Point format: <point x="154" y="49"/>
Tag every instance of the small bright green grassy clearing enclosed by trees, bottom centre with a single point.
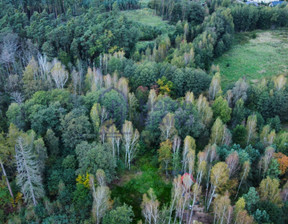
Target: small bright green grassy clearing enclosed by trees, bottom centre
<point x="136" y="182"/>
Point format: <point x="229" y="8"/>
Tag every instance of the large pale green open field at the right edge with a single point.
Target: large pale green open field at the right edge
<point x="255" y="55"/>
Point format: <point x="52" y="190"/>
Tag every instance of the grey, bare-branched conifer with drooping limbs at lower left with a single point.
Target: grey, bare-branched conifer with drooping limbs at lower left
<point x="28" y="174"/>
